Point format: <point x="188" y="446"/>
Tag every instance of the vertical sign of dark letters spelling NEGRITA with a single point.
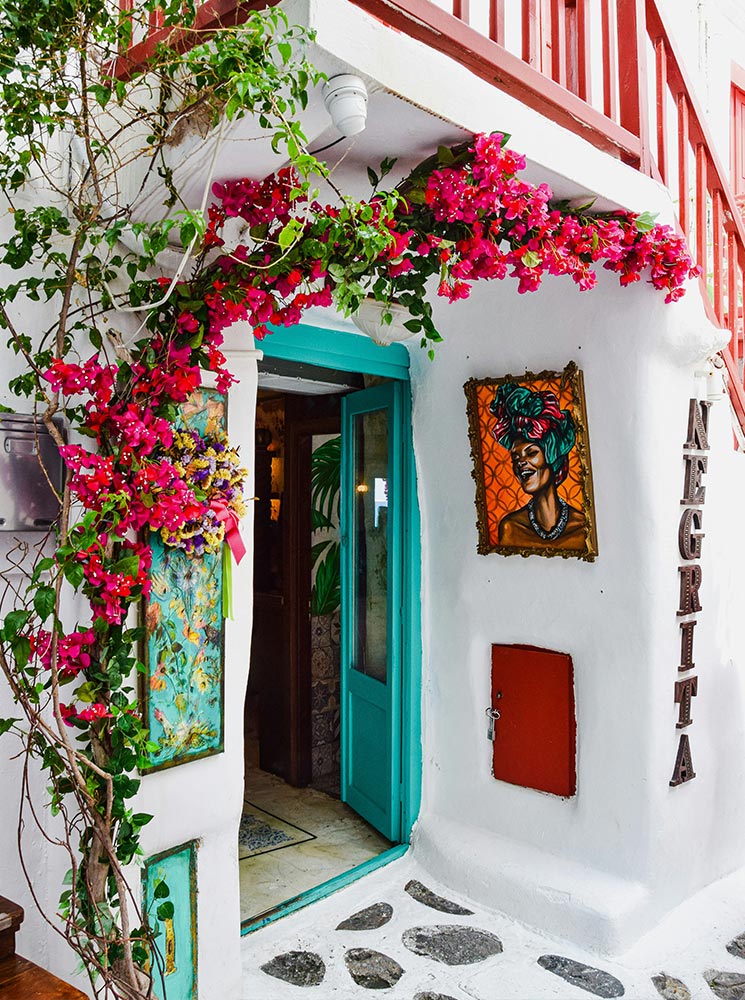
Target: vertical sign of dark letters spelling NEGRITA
<point x="690" y="539"/>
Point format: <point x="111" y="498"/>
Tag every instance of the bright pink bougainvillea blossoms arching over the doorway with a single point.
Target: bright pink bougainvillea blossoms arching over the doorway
<point x="465" y="215"/>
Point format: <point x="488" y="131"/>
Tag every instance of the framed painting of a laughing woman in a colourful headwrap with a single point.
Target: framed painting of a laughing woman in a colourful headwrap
<point x="531" y="463"/>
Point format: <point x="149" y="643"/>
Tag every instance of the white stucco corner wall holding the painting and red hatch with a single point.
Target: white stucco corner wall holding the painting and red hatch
<point x="601" y="867"/>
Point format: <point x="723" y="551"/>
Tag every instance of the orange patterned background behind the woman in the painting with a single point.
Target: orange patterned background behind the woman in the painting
<point x="502" y="492"/>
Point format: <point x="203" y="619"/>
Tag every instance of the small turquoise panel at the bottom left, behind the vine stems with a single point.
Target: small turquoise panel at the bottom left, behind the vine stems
<point x="174" y="965"/>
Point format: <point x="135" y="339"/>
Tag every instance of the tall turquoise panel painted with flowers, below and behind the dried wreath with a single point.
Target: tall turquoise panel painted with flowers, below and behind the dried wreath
<point x="182" y="691"/>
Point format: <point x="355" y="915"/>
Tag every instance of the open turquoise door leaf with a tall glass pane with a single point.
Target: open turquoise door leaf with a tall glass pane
<point x="372" y="526"/>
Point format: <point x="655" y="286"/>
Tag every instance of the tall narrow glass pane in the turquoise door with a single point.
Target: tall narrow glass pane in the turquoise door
<point x="370" y="534"/>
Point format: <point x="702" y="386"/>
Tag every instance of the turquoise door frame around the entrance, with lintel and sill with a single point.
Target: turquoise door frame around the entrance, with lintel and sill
<point x="341" y="351"/>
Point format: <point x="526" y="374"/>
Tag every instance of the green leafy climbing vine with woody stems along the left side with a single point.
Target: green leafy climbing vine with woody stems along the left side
<point x="75" y="115"/>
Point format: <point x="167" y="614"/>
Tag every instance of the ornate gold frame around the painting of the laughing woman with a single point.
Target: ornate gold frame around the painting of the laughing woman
<point x="571" y="381"/>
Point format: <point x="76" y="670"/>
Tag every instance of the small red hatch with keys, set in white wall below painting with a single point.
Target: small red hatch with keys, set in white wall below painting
<point x="536" y="733"/>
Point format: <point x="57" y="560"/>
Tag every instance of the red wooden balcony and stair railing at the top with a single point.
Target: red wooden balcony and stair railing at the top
<point x="612" y="75"/>
